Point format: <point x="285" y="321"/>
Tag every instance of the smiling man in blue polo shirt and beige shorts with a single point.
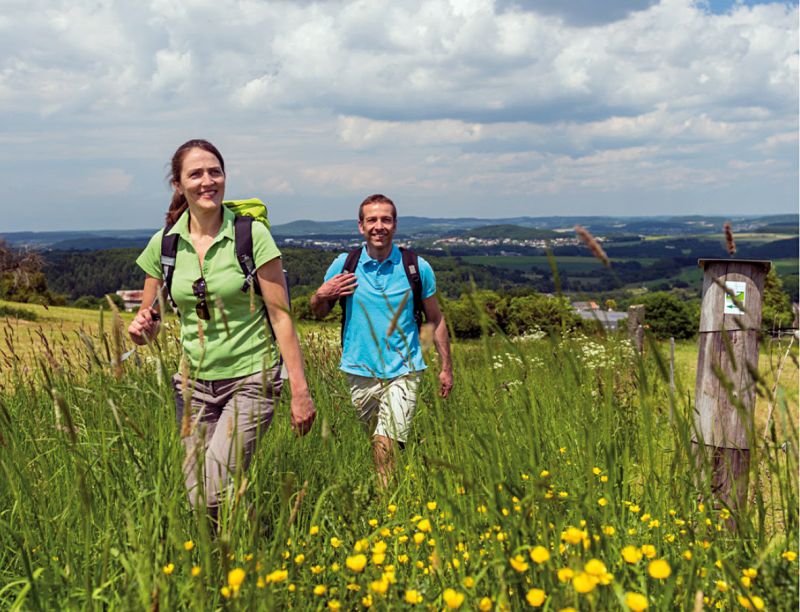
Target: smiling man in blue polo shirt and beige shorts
<point x="383" y="291"/>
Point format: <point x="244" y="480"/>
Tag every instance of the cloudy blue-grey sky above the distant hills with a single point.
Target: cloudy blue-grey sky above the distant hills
<point x="453" y="108"/>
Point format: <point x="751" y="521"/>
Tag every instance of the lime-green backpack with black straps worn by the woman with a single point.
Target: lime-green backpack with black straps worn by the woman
<point x="246" y="211"/>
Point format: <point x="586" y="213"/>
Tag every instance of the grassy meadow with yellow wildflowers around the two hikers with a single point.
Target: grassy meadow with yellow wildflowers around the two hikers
<point x="558" y="475"/>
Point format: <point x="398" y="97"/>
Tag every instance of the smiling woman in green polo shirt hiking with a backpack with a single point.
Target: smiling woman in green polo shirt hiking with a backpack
<point x="232" y="358"/>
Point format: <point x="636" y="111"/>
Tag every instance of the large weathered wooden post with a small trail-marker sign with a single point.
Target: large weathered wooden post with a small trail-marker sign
<point x="725" y="390"/>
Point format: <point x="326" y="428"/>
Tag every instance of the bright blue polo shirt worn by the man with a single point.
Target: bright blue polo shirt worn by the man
<point x="368" y="351"/>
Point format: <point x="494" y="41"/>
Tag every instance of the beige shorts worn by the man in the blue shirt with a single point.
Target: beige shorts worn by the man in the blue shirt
<point x="385" y="406"/>
